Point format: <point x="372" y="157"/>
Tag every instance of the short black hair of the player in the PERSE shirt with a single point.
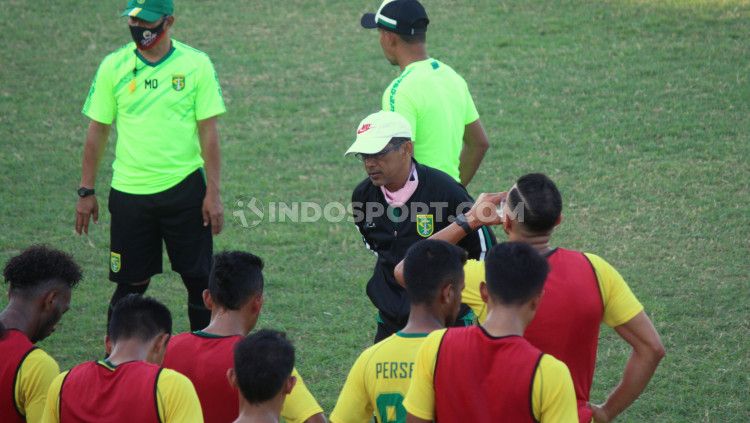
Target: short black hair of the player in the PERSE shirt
<point x="430" y="264"/>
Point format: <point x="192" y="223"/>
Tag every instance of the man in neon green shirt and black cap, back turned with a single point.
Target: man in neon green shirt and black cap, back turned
<point x="446" y="130"/>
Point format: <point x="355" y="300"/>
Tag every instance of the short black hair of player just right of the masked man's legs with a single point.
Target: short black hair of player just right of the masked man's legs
<point x="236" y="276"/>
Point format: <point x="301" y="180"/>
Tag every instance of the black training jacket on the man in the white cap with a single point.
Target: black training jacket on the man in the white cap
<point x="441" y="198"/>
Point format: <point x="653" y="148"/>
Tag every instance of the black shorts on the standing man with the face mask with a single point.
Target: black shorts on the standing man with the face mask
<point x="141" y="222"/>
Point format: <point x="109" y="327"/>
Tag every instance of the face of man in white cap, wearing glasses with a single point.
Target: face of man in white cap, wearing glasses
<point x="390" y="168"/>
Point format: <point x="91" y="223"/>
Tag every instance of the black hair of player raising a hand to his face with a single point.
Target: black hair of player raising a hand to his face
<point x="542" y="201"/>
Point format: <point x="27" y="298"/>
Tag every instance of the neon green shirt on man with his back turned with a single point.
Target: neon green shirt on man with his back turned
<point x="437" y="103"/>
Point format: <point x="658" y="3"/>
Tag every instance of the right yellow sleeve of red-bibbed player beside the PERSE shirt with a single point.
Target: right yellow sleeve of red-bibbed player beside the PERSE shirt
<point x="553" y="398"/>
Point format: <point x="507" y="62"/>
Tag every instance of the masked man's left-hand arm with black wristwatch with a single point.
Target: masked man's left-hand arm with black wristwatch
<point x="87" y="207"/>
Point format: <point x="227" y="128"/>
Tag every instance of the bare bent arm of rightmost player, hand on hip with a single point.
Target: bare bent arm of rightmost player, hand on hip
<point x="648" y="351"/>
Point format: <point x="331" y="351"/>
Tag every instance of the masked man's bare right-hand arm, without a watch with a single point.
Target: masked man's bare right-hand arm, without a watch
<point x="213" y="210"/>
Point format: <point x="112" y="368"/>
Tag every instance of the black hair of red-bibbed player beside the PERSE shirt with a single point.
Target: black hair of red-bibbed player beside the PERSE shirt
<point x="515" y="272"/>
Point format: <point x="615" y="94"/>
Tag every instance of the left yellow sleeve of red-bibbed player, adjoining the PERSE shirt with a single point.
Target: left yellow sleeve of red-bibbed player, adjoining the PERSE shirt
<point x="420" y="400"/>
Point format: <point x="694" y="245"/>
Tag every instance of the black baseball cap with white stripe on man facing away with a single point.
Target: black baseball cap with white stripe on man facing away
<point x="406" y="17"/>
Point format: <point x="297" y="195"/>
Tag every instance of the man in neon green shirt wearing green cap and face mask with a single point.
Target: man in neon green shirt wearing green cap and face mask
<point x="164" y="97"/>
